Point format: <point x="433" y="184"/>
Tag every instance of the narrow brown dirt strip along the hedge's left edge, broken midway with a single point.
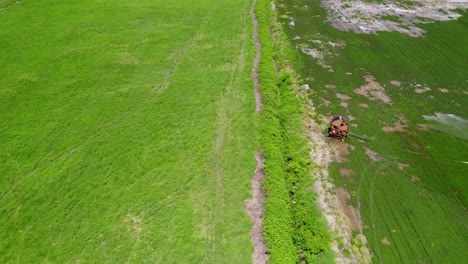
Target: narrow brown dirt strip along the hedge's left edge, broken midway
<point x="255" y="206"/>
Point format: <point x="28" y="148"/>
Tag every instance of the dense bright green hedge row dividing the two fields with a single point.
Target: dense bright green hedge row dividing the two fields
<point x="294" y="229"/>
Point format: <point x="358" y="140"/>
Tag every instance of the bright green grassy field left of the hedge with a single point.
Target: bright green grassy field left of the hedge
<point x="127" y="131"/>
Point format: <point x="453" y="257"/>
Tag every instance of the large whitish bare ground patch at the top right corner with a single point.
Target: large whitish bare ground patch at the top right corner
<point x="366" y="18"/>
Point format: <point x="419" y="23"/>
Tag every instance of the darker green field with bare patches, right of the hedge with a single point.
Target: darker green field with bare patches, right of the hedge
<point x="405" y="94"/>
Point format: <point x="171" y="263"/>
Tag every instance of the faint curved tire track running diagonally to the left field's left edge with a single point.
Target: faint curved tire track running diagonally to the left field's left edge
<point x="117" y="120"/>
